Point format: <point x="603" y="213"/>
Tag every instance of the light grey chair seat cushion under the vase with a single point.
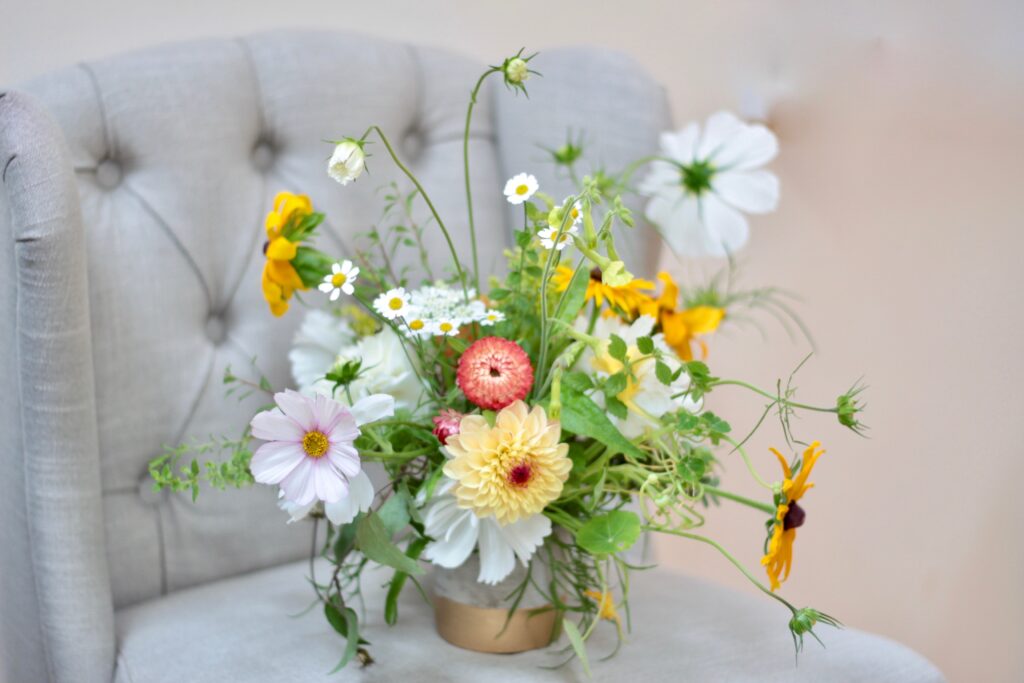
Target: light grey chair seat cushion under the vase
<point x="247" y="629"/>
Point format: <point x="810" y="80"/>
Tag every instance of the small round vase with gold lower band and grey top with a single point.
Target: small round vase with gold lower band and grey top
<point x="473" y="616"/>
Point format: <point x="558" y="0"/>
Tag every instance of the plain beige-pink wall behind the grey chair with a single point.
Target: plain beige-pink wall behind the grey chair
<point x="901" y="226"/>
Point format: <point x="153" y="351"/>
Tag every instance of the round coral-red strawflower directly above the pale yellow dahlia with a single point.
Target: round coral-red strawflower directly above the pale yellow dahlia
<point x="494" y="373"/>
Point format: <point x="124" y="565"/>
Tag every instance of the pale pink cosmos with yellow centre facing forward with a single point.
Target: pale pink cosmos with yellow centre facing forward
<point x="310" y="445"/>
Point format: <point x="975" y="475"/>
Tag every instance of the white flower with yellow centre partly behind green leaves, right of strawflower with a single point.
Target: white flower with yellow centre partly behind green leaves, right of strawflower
<point x="646" y="398"/>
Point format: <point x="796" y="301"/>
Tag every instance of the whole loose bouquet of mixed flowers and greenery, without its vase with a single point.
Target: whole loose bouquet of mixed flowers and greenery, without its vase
<point x="552" y="415"/>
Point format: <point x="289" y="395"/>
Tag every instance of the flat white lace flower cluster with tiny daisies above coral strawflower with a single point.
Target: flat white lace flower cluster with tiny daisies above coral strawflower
<point x="435" y="311"/>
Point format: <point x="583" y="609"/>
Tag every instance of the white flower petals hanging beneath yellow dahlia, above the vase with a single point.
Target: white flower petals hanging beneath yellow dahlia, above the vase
<point x="456" y="532"/>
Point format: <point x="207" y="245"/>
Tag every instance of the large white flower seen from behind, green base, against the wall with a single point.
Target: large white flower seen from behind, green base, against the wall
<point x="699" y="203"/>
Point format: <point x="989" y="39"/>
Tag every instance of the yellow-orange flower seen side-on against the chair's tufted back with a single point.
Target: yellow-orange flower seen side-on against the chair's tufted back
<point x="280" y="279"/>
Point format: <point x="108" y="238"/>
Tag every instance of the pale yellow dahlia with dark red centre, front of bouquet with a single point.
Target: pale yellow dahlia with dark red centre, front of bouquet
<point x="511" y="471"/>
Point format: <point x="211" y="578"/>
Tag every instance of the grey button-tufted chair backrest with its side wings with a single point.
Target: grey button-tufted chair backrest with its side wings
<point x="135" y="191"/>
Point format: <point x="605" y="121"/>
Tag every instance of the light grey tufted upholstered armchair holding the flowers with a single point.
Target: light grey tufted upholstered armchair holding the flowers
<point x="132" y="209"/>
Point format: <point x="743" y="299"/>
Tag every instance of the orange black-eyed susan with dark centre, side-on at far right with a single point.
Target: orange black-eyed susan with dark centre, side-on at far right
<point x="789" y="516"/>
